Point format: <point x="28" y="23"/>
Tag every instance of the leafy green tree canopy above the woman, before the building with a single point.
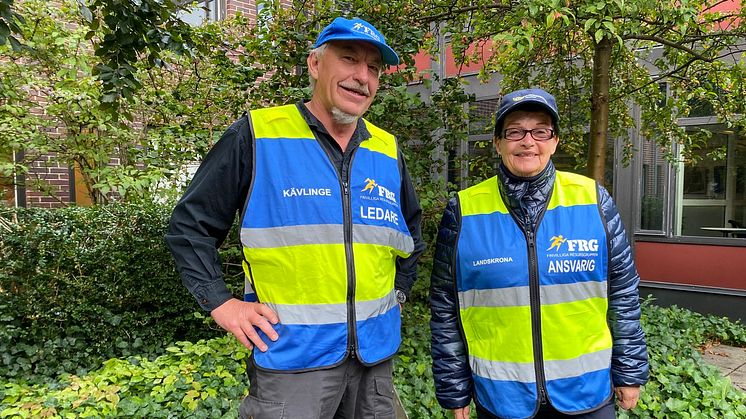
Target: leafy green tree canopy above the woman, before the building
<point x="690" y="45"/>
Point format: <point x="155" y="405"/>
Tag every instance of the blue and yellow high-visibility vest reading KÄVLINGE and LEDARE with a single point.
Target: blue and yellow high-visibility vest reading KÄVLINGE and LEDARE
<point x="321" y="250"/>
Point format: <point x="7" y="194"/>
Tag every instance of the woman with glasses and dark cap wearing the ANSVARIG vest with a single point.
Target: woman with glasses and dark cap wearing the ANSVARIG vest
<point x="535" y="307"/>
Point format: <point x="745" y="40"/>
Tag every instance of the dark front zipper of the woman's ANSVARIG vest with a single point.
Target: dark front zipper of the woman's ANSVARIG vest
<point x="533" y="286"/>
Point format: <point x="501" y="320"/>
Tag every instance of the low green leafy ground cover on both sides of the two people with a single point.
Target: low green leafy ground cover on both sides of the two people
<point x="207" y="378"/>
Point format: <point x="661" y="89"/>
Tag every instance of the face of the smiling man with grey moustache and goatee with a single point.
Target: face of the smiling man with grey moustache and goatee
<point x="346" y="75"/>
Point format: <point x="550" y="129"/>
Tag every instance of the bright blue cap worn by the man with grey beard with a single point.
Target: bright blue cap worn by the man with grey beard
<point x="356" y="29"/>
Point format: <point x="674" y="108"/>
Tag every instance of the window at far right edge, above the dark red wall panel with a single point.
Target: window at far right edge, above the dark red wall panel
<point x="711" y="189"/>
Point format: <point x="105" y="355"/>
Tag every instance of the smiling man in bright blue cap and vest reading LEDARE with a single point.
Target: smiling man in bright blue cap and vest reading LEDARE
<point x="330" y="229"/>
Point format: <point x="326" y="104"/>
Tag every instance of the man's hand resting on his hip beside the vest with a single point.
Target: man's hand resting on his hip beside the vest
<point x="239" y="318"/>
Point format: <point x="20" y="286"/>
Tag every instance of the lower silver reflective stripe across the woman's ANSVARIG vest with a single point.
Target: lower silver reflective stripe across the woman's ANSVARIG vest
<point x="553" y="370"/>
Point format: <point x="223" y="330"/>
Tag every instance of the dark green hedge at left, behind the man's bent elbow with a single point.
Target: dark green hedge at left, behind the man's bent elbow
<point x="82" y="285"/>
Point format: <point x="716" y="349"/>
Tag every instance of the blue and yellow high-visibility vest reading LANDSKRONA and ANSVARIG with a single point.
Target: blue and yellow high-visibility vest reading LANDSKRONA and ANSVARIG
<point x="533" y="305"/>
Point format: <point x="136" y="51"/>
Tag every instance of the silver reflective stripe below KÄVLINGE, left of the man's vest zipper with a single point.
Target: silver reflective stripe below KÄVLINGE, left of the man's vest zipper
<point x="274" y="237"/>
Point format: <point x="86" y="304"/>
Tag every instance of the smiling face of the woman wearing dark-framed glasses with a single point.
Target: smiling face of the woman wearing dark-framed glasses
<point x="526" y="157"/>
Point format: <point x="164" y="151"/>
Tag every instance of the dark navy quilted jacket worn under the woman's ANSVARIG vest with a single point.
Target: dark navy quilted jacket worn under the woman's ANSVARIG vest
<point x="526" y="198"/>
